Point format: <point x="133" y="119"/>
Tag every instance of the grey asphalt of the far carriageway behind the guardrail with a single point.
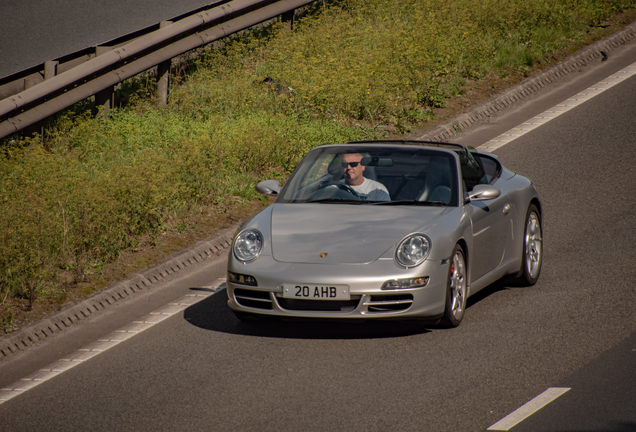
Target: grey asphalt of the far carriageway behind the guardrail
<point x="32" y="31"/>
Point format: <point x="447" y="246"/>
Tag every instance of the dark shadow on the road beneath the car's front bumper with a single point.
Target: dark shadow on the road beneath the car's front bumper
<point x="214" y="314"/>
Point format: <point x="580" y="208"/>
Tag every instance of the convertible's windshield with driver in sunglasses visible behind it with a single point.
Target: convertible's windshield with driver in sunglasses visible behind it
<point x="351" y="174"/>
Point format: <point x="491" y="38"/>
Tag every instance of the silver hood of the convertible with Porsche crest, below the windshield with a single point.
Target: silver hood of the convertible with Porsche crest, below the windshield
<point x="347" y="234"/>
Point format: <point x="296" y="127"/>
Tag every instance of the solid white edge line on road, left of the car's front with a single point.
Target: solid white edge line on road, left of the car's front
<point x="105" y="343"/>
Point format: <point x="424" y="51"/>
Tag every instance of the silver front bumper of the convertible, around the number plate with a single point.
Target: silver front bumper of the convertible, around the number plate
<point x="367" y="299"/>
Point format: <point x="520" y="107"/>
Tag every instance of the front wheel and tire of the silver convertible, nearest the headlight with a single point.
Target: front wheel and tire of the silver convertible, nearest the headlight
<point x="456" y="289"/>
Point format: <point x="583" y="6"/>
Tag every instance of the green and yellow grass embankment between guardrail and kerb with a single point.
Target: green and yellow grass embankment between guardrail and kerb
<point x="99" y="188"/>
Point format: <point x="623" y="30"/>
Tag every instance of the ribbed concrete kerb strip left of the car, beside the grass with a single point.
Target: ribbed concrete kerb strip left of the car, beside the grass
<point x="56" y="322"/>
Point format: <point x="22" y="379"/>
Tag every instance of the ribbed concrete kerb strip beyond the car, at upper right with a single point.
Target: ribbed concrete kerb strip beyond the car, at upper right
<point x="597" y="51"/>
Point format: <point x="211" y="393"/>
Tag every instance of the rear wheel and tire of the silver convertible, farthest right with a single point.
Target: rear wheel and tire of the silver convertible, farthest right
<point x="532" y="257"/>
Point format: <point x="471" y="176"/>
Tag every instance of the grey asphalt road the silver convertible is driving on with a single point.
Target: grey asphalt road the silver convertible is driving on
<point x="202" y="369"/>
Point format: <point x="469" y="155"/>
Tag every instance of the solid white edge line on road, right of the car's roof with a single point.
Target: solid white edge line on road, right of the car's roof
<point x="559" y="109"/>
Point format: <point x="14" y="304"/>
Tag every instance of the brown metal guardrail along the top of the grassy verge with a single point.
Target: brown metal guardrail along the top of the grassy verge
<point x="34" y="96"/>
